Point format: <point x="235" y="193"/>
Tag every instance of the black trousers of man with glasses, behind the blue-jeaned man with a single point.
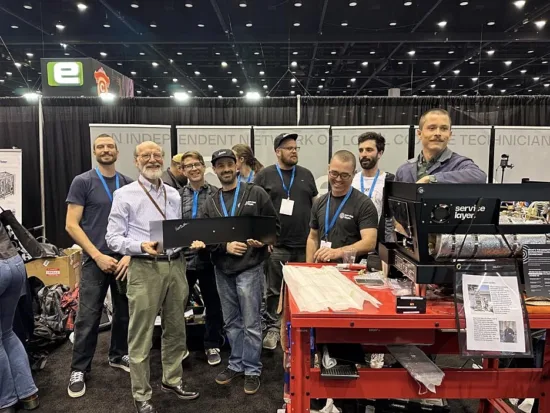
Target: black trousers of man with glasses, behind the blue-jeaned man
<point x="211" y="299"/>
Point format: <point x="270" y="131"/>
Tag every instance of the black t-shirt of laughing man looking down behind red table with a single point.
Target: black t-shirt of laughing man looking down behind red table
<point x="357" y="214"/>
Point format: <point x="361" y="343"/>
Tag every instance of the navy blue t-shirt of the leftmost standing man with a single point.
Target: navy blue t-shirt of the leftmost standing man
<point x="87" y="190"/>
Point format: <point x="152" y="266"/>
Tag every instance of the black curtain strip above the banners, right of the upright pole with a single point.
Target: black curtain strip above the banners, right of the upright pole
<point x="486" y="110"/>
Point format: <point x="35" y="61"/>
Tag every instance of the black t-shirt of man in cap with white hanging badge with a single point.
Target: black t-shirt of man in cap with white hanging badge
<point x="295" y="227"/>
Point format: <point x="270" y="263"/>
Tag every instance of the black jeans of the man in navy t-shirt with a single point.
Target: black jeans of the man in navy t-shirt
<point x="93" y="289"/>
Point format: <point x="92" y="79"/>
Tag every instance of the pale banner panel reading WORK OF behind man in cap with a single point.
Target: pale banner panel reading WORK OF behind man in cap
<point x="314" y="149"/>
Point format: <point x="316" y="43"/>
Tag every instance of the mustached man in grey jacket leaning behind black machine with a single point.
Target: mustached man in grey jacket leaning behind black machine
<point x="437" y="163"/>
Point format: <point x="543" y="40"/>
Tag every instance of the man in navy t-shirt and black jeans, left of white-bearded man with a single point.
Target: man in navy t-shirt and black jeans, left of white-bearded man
<point x="88" y="207"/>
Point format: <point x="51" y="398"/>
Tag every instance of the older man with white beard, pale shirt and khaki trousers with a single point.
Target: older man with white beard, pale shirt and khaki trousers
<point x="156" y="280"/>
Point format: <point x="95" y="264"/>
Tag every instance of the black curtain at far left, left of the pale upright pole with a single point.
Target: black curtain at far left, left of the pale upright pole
<point x="19" y="129"/>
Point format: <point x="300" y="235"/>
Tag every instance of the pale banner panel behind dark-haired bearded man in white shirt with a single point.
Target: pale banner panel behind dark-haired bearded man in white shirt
<point x="397" y="138"/>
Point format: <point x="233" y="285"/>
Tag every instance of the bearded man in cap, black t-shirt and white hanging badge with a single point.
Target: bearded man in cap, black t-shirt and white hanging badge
<point x="292" y="190"/>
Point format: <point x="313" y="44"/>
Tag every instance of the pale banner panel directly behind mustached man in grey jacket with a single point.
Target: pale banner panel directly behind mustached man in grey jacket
<point x="469" y="141"/>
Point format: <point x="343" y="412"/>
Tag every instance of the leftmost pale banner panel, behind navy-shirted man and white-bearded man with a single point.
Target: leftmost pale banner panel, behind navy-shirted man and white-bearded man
<point x="127" y="138"/>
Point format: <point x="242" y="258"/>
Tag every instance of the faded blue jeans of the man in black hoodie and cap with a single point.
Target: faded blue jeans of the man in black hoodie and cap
<point x="241" y="298"/>
